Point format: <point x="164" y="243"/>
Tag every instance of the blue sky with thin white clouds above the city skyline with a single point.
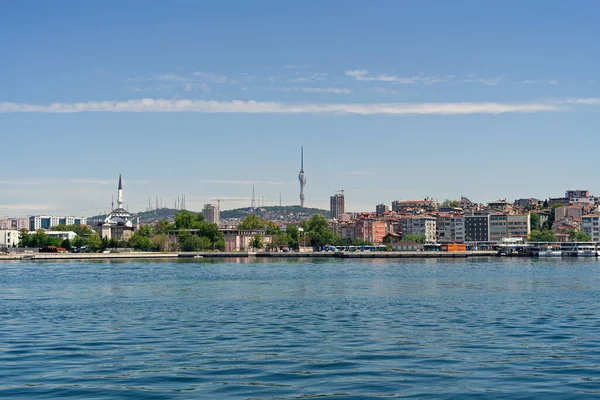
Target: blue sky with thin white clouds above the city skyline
<point x="390" y="99"/>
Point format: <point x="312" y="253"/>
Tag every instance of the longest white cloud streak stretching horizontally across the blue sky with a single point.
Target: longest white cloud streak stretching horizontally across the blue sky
<point x="262" y="107"/>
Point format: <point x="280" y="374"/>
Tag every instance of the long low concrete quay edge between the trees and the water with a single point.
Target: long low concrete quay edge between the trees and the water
<point x="209" y="255"/>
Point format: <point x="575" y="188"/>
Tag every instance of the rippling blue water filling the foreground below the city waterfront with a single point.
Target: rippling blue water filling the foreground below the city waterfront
<point x="300" y="329"/>
